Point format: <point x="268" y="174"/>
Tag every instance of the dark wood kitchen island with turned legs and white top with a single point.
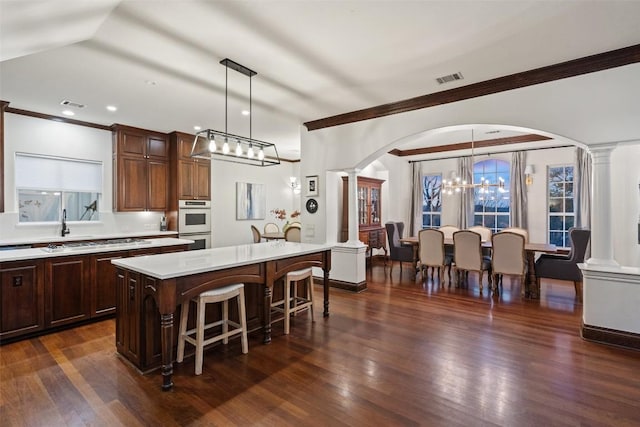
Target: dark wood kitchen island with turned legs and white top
<point x="167" y="280"/>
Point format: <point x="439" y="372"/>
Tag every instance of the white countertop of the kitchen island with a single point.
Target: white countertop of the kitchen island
<point x="178" y="264"/>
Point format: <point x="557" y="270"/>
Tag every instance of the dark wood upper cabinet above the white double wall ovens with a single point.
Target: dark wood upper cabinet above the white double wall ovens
<point x="191" y="177"/>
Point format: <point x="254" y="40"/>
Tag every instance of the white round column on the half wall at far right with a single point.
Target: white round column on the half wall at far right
<point x="601" y="207"/>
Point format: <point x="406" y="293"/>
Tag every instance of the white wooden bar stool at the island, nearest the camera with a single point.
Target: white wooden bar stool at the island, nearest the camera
<point x="222" y="295"/>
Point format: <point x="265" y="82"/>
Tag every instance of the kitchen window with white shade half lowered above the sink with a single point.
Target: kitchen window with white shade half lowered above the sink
<point x="47" y="185"/>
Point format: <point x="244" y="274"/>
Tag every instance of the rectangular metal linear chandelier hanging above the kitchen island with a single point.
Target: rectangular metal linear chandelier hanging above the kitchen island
<point x="217" y="145"/>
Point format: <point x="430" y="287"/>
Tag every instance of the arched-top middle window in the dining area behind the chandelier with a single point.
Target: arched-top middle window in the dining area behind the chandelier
<point x="491" y="204"/>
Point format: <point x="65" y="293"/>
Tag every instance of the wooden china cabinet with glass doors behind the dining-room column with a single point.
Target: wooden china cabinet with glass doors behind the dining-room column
<point x="369" y="201"/>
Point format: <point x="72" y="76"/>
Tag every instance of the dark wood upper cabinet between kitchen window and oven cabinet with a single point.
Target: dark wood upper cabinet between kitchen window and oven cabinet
<point x="141" y="169"/>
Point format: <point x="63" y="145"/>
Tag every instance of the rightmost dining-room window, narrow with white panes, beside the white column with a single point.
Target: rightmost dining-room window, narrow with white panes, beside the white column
<point x="561" y="213"/>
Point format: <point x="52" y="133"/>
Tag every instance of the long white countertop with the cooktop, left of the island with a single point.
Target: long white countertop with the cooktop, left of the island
<point x="37" y="253"/>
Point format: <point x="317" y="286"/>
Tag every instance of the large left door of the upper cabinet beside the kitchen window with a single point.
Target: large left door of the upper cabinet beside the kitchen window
<point x="132" y="184"/>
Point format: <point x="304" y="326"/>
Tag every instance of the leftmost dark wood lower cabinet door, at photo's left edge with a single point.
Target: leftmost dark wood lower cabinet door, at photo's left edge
<point x="22" y="297"/>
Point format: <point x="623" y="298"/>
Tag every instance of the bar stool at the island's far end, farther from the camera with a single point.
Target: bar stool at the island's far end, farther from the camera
<point x="290" y="305"/>
